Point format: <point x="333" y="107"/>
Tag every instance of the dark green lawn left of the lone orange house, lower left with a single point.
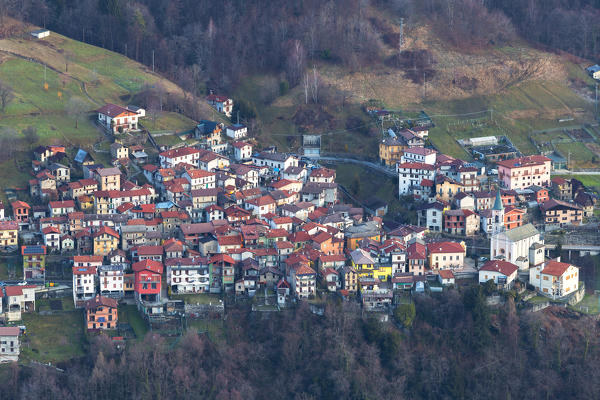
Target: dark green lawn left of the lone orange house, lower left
<point x="53" y="338"/>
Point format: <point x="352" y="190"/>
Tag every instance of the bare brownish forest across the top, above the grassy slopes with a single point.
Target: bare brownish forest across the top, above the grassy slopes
<point x="200" y="43"/>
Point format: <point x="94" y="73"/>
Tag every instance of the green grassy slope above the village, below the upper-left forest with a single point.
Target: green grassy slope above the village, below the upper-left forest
<point x="74" y="69"/>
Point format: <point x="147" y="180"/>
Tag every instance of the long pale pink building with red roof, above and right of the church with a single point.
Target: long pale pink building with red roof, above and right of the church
<point x="522" y="172"/>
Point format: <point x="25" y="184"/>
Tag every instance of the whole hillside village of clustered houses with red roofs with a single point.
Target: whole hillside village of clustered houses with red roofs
<point x="199" y="227"/>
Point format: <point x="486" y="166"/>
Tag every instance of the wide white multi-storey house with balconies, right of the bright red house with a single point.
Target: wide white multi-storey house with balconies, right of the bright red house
<point x="188" y="275"/>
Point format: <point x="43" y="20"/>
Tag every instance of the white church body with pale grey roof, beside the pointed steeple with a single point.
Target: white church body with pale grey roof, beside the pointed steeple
<point x="517" y="246"/>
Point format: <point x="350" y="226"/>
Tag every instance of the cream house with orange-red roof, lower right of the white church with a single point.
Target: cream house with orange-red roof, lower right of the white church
<point x="554" y="279"/>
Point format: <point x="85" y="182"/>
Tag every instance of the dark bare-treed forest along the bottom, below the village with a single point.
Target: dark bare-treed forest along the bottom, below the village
<point x="449" y="345"/>
